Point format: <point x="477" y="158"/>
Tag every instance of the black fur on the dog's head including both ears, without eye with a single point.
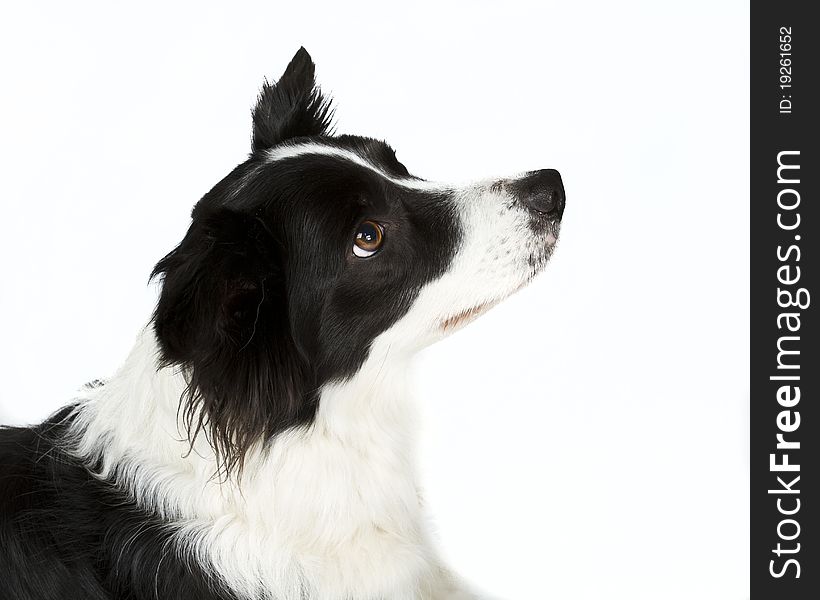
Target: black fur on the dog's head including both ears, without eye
<point x="263" y="302"/>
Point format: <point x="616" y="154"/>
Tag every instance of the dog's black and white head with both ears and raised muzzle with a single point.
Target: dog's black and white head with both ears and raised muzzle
<point x="319" y="248"/>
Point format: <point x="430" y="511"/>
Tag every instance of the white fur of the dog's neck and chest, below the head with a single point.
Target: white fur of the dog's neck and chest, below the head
<point x="330" y="512"/>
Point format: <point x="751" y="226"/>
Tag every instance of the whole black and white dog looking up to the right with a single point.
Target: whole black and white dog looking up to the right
<point x="258" y="442"/>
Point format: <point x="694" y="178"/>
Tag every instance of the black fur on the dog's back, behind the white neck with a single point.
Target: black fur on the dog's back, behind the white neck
<point x="65" y="535"/>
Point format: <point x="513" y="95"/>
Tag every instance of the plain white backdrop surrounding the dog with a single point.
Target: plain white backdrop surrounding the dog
<point x="586" y="439"/>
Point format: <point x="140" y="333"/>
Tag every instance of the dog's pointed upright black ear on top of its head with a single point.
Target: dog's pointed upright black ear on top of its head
<point x="292" y="107"/>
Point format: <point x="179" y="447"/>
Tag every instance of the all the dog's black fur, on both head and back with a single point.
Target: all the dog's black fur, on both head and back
<point x="262" y="303"/>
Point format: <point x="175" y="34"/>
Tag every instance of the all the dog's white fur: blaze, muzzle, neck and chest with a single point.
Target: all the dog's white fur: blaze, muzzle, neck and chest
<point x="330" y="512"/>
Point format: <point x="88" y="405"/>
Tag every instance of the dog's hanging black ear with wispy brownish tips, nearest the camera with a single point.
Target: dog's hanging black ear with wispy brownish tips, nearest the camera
<point x="222" y="317"/>
